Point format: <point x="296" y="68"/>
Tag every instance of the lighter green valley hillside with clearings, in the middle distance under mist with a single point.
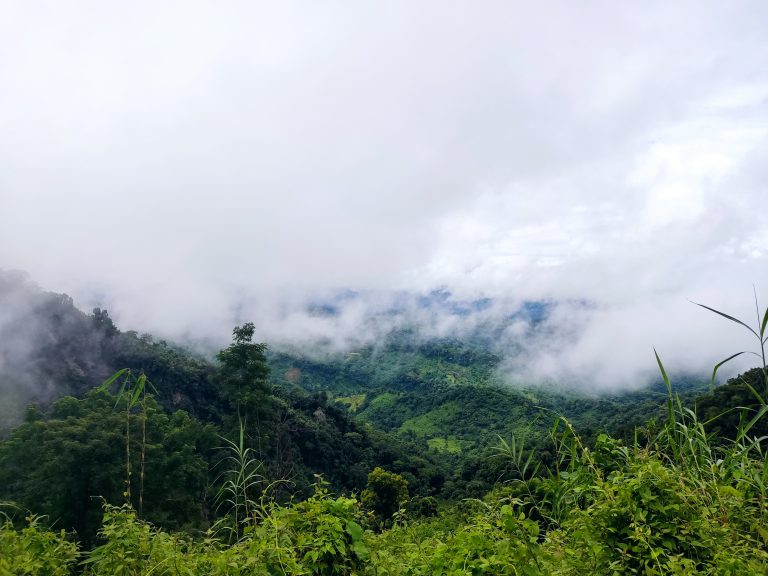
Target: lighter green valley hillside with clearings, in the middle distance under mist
<point x="448" y="394"/>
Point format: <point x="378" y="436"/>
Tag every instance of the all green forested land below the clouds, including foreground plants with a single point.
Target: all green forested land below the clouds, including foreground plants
<point x="123" y="454"/>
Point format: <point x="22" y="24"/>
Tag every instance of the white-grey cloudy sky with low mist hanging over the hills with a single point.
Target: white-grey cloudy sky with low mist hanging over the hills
<point x="189" y="165"/>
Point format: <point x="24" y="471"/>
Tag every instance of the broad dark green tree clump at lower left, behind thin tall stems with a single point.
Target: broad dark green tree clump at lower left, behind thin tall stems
<point x="64" y="465"/>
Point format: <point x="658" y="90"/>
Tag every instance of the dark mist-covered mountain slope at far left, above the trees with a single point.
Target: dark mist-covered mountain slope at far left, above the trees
<point x="49" y="348"/>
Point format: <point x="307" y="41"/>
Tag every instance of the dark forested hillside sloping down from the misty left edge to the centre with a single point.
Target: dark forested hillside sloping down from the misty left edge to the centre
<point x="55" y="358"/>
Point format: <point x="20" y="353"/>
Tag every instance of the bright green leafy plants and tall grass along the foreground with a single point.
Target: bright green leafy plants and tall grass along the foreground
<point x="678" y="502"/>
